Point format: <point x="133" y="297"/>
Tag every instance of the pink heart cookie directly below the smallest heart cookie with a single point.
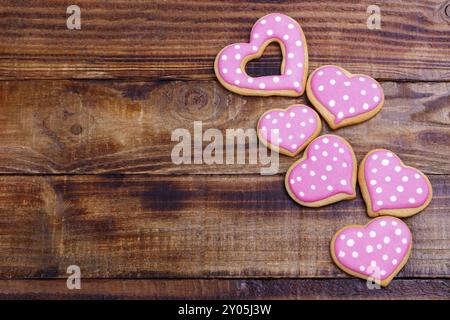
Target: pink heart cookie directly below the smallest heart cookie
<point x="325" y="174"/>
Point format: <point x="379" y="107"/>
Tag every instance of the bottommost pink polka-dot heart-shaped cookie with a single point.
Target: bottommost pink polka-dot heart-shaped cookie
<point x="377" y="251"/>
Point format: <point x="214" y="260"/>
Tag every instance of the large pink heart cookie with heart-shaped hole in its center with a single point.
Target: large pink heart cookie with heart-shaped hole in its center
<point x="231" y="60"/>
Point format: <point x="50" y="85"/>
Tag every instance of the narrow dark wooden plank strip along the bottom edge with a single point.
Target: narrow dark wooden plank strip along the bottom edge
<point x="436" y="289"/>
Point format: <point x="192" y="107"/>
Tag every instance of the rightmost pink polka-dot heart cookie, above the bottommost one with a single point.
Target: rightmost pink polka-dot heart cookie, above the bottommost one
<point x="391" y="188"/>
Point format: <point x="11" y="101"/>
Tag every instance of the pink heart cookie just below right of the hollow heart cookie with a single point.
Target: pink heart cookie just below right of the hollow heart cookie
<point x="342" y="98"/>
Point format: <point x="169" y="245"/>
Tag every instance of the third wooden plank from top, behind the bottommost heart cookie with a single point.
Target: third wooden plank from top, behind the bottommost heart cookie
<point x="189" y="226"/>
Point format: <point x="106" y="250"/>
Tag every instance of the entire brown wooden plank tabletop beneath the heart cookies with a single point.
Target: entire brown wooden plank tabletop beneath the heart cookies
<point x="86" y="176"/>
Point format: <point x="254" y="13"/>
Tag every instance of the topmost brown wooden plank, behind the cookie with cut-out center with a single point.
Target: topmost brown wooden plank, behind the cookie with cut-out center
<point x="178" y="39"/>
